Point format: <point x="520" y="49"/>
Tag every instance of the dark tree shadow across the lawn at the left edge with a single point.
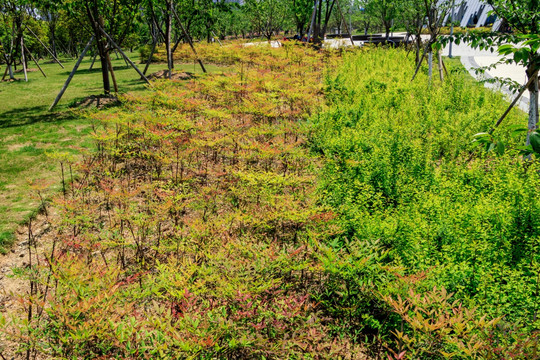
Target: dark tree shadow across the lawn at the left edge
<point x="32" y="115"/>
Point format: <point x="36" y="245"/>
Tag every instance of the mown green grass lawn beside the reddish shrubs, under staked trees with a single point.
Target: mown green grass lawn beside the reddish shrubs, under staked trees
<point x="28" y="131"/>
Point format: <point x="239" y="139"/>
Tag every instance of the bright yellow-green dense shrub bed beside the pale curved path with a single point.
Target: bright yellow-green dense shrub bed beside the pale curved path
<point x="438" y="254"/>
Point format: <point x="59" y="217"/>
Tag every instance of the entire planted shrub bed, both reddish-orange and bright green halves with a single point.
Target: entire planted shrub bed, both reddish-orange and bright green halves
<point x="204" y="226"/>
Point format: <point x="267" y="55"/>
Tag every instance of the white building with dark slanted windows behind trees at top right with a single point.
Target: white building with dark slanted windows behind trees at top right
<point x="474" y="13"/>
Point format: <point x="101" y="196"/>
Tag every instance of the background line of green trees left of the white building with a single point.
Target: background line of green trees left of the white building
<point x="66" y="25"/>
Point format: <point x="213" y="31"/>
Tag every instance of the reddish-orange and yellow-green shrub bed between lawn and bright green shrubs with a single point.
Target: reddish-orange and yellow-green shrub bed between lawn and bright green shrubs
<point x="193" y="229"/>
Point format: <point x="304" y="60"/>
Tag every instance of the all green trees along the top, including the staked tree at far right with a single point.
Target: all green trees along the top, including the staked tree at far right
<point x="41" y="28"/>
